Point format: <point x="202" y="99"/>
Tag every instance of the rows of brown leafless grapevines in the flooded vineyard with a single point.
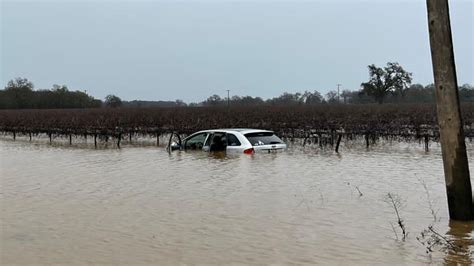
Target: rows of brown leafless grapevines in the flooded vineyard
<point x="318" y="123"/>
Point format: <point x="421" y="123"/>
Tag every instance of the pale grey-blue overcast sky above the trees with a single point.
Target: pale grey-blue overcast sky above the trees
<point x="189" y="50"/>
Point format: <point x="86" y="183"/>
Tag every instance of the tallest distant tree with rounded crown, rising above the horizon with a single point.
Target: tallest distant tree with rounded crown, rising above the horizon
<point x="390" y="79"/>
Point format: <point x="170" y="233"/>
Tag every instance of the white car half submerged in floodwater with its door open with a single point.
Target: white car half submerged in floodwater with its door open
<point x="237" y="140"/>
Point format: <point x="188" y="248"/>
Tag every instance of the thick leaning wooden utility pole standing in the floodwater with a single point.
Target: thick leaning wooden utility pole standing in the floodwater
<point x="456" y="169"/>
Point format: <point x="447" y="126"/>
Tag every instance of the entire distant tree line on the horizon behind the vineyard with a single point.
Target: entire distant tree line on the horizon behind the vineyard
<point x="389" y="84"/>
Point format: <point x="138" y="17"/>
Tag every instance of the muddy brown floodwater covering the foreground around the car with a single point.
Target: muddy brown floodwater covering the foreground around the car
<point x="65" y="204"/>
